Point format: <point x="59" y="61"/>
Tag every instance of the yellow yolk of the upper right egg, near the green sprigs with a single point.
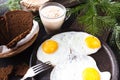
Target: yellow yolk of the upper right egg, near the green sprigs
<point x="93" y="42"/>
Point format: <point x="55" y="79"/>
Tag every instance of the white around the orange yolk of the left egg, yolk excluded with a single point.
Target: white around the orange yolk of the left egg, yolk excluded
<point x="58" y="56"/>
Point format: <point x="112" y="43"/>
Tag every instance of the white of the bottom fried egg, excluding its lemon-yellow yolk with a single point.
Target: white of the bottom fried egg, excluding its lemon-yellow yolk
<point x="72" y="69"/>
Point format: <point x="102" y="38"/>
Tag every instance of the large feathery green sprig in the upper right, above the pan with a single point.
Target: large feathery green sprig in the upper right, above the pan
<point x="97" y="15"/>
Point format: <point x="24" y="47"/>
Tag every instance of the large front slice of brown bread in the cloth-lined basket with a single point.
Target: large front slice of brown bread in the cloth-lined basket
<point x="19" y="24"/>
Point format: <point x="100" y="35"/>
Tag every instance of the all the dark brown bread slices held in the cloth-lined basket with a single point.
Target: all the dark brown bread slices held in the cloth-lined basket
<point x="14" y="26"/>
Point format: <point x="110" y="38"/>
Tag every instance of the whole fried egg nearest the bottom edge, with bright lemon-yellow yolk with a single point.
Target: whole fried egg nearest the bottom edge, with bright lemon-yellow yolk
<point x="83" y="68"/>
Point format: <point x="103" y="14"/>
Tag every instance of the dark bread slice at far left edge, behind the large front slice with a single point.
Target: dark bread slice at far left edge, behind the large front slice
<point x="4" y="36"/>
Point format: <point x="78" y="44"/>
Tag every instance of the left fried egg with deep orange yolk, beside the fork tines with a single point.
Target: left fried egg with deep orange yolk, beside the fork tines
<point x="53" y="51"/>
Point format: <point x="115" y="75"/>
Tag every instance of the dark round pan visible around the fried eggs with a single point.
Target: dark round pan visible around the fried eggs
<point x="104" y="58"/>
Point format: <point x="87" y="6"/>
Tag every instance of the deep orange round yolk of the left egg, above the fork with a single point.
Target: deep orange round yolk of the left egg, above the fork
<point x="49" y="46"/>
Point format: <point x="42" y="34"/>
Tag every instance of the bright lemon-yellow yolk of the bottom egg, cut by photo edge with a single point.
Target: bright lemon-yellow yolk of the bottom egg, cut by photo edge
<point x="90" y="74"/>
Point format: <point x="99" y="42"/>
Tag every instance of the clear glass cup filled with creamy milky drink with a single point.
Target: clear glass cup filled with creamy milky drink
<point x="52" y="15"/>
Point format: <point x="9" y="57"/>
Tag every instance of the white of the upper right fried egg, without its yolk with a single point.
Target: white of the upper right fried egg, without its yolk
<point x="76" y="42"/>
